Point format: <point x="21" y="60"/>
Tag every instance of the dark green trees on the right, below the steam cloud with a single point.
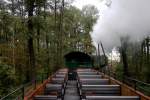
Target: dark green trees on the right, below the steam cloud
<point x="137" y="57"/>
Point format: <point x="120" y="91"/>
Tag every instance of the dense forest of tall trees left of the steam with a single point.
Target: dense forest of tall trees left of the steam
<point x="35" y="35"/>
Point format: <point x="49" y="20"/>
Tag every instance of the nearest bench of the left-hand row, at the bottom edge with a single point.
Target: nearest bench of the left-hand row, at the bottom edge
<point x="46" y="97"/>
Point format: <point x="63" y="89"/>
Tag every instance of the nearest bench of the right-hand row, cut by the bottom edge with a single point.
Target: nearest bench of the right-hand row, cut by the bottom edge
<point x="112" y="98"/>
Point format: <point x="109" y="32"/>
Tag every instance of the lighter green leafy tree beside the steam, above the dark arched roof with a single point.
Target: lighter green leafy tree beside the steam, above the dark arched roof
<point x="78" y="25"/>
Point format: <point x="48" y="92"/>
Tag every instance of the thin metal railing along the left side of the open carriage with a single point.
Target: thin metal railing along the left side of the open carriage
<point x="20" y="92"/>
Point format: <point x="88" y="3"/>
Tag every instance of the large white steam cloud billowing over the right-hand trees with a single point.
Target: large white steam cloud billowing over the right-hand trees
<point x="121" y="18"/>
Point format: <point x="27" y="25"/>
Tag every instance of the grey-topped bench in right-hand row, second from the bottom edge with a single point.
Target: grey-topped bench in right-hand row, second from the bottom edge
<point x="100" y="90"/>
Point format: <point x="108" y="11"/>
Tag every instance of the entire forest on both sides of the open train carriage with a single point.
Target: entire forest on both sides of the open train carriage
<point x="36" y="34"/>
